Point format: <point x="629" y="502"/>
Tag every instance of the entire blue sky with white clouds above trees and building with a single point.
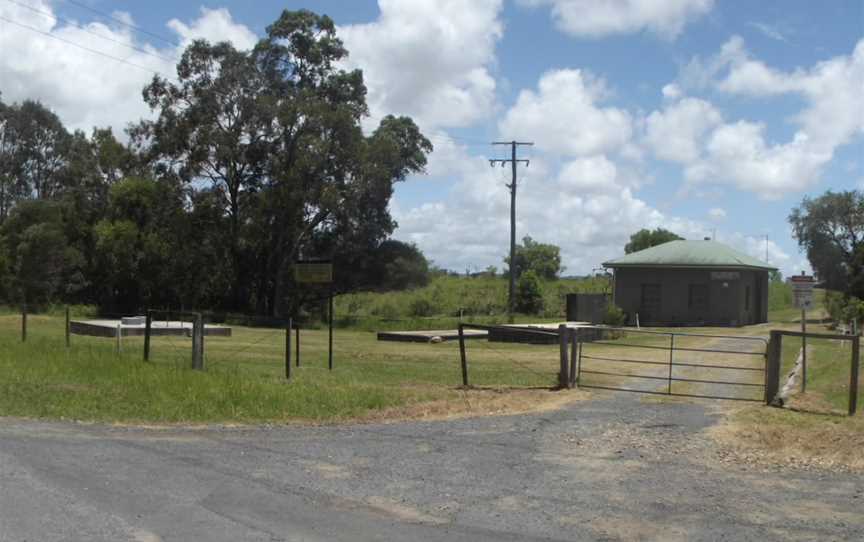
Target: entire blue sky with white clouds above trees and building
<point x="708" y="118"/>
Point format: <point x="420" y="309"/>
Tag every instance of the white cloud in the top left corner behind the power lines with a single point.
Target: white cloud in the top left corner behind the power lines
<point x="82" y="87"/>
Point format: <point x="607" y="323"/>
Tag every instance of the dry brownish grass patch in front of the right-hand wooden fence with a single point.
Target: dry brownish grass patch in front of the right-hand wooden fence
<point x="763" y="435"/>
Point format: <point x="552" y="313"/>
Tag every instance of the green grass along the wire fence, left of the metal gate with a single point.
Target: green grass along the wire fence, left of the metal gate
<point x="244" y="377"/>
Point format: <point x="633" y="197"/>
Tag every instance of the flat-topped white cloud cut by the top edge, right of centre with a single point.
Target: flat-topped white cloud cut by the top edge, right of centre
<point x="594" y="19"/>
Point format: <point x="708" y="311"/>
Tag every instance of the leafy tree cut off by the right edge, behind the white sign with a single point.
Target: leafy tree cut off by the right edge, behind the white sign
<point x="830" y="229"/>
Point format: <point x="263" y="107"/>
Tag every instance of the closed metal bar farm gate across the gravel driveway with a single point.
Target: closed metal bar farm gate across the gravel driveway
<point x="668" y="363"/>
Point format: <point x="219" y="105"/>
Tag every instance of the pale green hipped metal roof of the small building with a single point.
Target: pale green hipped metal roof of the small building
<point x="690" y="254"/>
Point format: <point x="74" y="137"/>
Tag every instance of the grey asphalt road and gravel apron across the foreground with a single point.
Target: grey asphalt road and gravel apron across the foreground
<point x="612" y="468"/>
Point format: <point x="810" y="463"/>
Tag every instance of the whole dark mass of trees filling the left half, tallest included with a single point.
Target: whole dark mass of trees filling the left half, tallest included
<point x="252" y="160"/>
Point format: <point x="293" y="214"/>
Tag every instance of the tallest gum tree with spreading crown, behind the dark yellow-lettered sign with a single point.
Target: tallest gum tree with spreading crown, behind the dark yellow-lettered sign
<point x="276" y="134"/>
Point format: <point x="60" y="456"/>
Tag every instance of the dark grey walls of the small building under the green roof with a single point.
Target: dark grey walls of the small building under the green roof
<point x="726" y="303"/>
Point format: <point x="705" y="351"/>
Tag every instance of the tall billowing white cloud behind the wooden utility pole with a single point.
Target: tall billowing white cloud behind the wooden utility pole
<point x="586" y="205"/>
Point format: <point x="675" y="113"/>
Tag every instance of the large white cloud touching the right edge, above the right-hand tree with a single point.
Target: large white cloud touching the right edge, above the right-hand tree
<point x="740" y="153"/>
